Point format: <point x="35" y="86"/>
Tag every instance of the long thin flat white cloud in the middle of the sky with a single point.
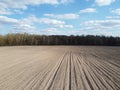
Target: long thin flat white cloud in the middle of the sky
<point x="63" y="16"/>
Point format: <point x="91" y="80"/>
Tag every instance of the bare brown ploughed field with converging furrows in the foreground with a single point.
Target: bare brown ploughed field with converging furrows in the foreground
<point x="59" y="68"/>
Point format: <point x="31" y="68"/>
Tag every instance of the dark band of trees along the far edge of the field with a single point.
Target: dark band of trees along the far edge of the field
<point x="28" y="39"/>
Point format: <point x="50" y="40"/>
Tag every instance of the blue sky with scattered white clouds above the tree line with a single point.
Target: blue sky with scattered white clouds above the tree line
<point x="60" y="17"/>
